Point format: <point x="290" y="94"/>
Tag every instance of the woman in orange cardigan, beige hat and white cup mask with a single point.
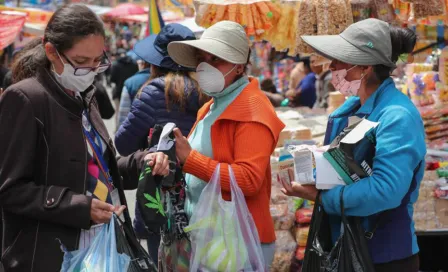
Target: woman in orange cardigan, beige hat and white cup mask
<point x="238" y="127"/>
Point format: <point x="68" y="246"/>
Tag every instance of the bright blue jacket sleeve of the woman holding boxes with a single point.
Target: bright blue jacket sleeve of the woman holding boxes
<point x="399" y="150"/>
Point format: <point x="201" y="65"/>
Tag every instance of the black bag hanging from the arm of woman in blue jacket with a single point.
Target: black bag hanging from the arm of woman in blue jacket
<point x="350" y="253"/>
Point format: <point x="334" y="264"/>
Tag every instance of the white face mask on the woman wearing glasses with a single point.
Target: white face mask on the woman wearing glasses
<point x="70" y="81"/>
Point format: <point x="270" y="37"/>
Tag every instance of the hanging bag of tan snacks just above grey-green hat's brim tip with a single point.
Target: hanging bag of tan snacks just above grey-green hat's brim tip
<point x="307" y="24"/>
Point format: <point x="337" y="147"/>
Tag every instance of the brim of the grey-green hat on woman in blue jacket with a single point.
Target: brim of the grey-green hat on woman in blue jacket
<point x="334" y="47"/>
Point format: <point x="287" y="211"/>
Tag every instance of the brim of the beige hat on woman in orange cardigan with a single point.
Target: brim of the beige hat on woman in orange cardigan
<point x="184" y="52"/>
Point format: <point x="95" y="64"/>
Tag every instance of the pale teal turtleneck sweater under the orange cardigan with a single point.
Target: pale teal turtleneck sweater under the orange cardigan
<point x="200" y="138"/>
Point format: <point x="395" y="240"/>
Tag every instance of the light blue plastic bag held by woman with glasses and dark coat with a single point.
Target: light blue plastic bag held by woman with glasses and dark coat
<point x="100" y="256"/>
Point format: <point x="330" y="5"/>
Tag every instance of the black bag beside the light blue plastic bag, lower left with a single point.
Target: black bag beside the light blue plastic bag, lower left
<point x="128" y="244"/>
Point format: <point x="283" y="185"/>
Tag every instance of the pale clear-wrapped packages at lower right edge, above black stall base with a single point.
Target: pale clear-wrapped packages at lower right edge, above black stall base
<point x="431" y="209"/>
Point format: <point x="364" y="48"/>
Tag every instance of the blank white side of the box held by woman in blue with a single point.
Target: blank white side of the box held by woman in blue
<point x="326" y="177"/>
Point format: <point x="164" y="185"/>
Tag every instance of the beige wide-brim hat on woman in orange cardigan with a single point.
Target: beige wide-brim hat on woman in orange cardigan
<point x="227" y="40"/>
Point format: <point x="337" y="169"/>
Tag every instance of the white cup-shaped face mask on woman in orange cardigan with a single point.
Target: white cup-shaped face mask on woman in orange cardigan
<point x="210" y="79"/>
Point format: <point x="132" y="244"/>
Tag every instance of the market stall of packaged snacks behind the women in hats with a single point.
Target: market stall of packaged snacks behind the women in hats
<point x="279" y="25"/>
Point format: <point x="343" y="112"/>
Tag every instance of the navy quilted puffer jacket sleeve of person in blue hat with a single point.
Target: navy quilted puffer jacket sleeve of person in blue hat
<point x="139" y="121"/>
